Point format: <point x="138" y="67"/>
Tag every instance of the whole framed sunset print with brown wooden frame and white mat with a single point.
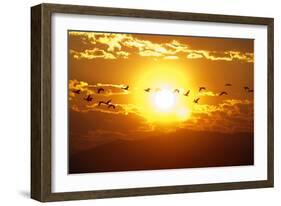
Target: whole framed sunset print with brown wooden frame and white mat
<point x="132" y="102"/>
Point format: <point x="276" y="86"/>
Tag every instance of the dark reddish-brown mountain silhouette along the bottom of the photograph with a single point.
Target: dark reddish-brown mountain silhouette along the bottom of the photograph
<point x="186" y="150"/>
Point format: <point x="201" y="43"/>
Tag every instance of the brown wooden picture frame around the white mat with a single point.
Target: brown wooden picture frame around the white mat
<point x="41" y="95"/>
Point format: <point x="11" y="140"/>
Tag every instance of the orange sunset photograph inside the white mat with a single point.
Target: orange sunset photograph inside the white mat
<point x="156" y="101"/>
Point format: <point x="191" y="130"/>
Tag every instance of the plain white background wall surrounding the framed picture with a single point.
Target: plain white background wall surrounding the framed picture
<point x="15" y="102"/>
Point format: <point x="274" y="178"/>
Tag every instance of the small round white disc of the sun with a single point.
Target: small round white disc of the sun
<point x="164" y="99"/>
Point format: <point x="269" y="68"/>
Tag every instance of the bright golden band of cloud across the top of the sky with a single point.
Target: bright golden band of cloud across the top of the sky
<point x="115" y="46"/>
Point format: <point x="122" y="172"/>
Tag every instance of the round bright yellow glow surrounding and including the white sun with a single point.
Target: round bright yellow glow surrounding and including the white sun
<point x="156" y="96"/>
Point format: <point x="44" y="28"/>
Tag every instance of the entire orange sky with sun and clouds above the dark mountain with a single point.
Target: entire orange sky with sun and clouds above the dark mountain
<point x="153" y="82"/>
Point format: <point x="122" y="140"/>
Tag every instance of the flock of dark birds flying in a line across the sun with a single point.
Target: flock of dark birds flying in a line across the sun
<point x="108" y="103"/>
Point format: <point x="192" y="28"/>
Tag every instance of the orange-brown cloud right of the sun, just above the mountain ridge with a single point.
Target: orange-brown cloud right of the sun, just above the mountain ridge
<point x="230" y="116"/>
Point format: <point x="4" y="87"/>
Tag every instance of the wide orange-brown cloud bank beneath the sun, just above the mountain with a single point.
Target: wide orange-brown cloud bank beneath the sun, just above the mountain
<point x="97" y="127"/>
